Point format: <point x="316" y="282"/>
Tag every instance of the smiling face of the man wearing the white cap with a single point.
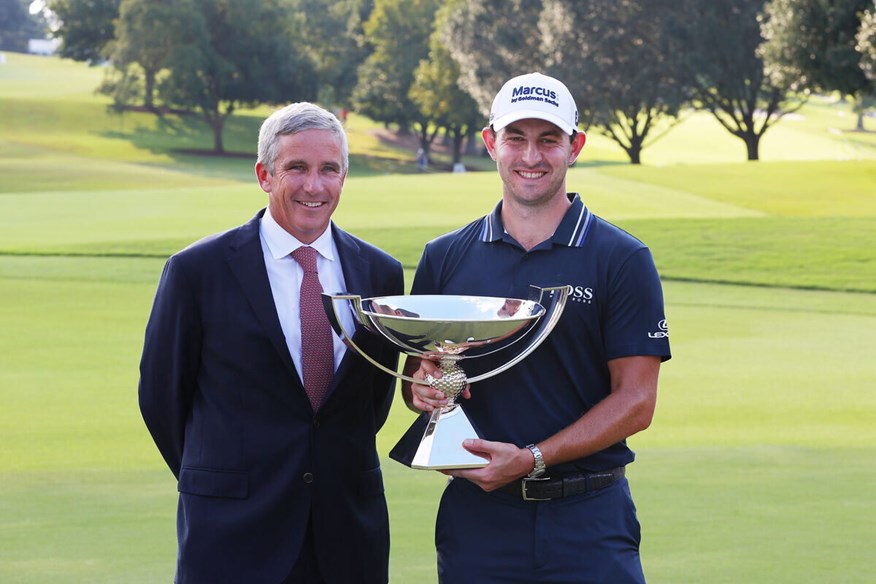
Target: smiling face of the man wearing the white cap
<point x="532" y="157"/>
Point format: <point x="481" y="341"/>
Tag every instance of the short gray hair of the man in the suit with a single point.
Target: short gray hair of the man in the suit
<point x="295" y="118"/>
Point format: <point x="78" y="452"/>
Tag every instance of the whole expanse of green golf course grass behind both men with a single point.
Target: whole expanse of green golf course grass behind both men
<point x="760" y="461"/>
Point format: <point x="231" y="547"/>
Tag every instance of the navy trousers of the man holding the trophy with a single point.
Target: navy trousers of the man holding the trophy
<point x="486" y="538"/>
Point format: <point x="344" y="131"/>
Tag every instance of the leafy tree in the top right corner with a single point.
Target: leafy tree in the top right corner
<point x="816" y="41"/>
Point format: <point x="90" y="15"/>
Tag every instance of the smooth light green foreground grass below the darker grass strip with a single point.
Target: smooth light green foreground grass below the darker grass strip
<point x="762" y="429"/>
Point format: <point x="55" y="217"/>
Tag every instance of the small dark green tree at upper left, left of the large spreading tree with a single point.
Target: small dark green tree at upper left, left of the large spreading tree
<point x="85" y="28"/>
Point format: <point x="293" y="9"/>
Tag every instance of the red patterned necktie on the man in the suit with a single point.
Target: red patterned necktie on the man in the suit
<point x="317" y="352"/>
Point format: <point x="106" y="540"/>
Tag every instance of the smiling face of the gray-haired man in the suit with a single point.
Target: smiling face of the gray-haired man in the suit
<point x="306" y="185"/>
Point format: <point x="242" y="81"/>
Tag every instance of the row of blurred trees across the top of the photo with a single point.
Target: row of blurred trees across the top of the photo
<point x="432" y="66"/>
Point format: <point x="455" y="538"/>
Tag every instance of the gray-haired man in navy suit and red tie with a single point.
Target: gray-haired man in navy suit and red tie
<point x="277" y="482"/>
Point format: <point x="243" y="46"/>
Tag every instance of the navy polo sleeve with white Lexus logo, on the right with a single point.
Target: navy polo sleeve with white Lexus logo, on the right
<point x="635" y="318"/>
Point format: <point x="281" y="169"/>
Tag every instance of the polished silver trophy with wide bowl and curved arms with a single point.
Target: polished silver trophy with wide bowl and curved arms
<point x="449" y="329"/>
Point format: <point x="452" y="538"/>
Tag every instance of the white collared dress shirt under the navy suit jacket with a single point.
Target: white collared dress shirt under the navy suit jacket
<point x="285" y="275"/>
